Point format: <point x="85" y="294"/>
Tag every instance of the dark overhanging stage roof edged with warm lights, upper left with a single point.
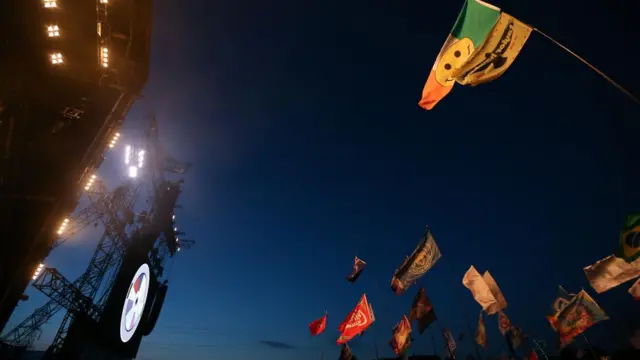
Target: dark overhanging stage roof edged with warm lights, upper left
<point x="69" y="72"/>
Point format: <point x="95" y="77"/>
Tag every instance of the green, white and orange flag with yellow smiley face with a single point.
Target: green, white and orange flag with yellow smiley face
<point x="475" y="22"/>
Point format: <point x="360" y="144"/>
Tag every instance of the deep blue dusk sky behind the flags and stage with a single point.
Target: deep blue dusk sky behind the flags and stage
<point x="301" y="120"/>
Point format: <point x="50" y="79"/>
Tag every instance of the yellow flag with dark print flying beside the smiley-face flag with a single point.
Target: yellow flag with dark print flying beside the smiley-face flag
<point x="496" y="54"/>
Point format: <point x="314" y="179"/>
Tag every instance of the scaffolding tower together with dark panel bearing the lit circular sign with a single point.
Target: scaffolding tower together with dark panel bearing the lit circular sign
<point x="118" y="299"/>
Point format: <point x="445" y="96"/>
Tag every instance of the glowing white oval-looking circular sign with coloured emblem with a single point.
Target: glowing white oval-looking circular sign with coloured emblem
<point x="134" y="303"/>
